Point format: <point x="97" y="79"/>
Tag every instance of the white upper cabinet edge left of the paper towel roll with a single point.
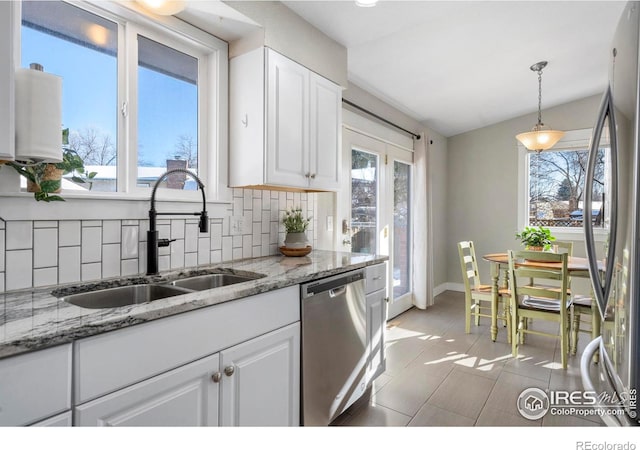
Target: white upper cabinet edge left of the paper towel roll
<point x="8" y="12"/>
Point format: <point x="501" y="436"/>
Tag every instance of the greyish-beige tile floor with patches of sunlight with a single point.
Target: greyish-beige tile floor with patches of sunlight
<point x="437" y="375"/>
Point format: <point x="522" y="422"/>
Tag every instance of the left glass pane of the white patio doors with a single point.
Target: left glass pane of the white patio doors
<point x="364" y="202"/>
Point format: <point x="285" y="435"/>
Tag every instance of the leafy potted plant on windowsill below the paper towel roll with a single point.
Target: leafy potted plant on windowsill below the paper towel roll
<point x="45" y="179"/>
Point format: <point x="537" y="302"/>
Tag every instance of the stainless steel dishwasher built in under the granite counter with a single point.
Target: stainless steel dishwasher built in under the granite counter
<point x="333" y="346"/>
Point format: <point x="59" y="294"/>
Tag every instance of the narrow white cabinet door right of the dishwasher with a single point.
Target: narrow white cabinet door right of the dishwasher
<point x="376" y="323"/>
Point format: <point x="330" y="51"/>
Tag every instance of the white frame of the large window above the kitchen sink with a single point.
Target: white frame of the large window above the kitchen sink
<point x="212" y="54"/>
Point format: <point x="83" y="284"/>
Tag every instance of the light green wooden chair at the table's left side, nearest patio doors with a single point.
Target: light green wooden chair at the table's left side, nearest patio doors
<point x="478" y="296"/>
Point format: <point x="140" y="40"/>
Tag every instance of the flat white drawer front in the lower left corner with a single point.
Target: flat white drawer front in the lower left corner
<point x="35" y="385"/>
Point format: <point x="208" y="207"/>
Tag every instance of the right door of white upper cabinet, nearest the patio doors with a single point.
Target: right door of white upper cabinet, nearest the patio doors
<point x="325" y="121"/>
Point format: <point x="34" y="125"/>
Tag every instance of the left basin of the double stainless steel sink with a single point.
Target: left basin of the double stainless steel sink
<point x="123" y="296"/>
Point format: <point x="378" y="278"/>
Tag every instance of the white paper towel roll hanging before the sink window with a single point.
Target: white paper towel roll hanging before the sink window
<point x="38" y="116"/>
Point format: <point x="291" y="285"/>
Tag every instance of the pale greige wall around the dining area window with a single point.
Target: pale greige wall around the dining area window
<point x="482" y="185"/>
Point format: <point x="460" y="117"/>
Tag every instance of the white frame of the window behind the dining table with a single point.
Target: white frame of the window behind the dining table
<point x="571" y="139"/>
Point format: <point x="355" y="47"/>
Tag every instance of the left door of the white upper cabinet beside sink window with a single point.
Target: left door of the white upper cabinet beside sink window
<point x="287" y="122"/>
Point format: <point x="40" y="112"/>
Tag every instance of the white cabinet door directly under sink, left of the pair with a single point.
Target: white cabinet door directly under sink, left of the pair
<point x="186" y="396"/>
